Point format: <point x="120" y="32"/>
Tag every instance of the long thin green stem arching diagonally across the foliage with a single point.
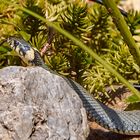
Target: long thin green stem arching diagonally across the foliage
<point x="84" y="47"/>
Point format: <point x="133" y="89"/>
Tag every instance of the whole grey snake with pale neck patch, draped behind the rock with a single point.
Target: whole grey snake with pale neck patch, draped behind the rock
<point x="122" y="122"/>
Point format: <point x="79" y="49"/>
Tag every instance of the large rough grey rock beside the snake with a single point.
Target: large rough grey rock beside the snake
<point x="38" y="105"/>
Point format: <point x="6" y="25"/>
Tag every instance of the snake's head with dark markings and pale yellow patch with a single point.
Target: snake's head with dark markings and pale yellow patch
<point x="23" y="49"/>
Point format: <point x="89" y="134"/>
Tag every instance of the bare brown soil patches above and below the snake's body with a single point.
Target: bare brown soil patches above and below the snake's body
<point x="117" y="101"/>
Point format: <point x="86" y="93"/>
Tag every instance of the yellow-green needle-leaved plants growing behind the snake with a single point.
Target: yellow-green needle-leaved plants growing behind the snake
<point x="90" y="24"/>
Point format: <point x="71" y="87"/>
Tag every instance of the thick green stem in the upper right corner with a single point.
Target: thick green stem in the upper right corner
<point x="123" y="28"/>
